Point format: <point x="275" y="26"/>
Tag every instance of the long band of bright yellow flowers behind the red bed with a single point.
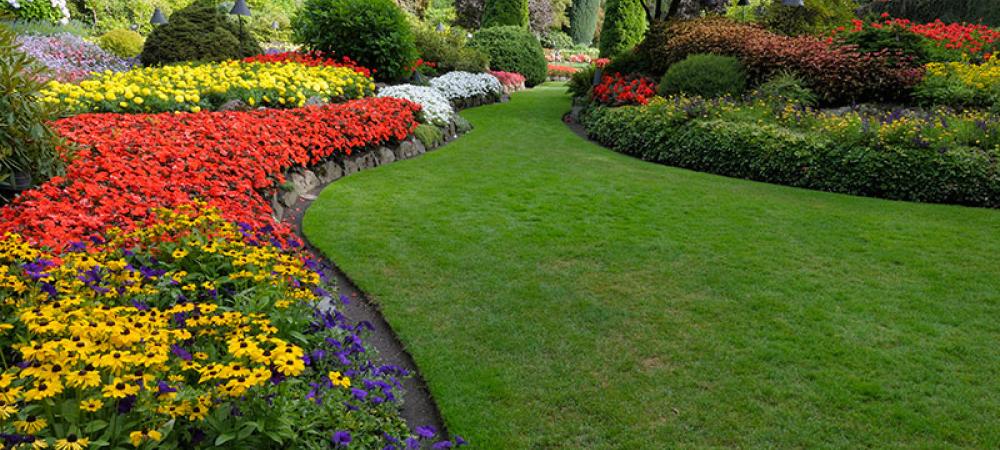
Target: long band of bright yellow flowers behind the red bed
<point x="196" y="87"/>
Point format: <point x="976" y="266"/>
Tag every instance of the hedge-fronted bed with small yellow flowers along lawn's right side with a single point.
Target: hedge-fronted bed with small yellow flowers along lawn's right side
<point x="938" y="157"/>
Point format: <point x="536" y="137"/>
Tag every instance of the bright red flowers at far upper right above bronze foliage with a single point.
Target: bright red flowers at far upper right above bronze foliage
<point x="973" y="39"/>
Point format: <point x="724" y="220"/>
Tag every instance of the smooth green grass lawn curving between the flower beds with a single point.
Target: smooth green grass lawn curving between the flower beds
<point x="558" y="295"/>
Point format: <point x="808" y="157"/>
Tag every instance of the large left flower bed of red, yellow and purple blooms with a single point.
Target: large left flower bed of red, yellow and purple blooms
<point x="170" y="310"/>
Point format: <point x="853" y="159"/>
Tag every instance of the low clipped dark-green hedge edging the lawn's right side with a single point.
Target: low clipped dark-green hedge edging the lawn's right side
<point x="684" y="135"/>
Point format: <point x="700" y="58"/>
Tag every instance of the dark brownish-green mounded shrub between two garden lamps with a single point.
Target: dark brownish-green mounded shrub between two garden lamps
<point x="199" y="32"/>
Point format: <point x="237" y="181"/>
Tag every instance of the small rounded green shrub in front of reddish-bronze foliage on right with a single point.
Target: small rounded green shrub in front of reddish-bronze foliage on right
<point x="705" y="75"/>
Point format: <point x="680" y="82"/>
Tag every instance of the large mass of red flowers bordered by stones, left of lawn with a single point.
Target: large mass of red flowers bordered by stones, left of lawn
<point x="127" y="164"/>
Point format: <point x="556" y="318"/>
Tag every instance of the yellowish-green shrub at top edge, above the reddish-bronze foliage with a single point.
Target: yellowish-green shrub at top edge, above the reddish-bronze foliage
<point x="817" y="16"/>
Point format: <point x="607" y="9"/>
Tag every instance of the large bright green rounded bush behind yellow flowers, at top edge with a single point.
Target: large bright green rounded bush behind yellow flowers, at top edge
<point x="375" y="33"/>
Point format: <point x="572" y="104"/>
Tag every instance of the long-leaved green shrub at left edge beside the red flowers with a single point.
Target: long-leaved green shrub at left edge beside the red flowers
<point x="27" y="144"/>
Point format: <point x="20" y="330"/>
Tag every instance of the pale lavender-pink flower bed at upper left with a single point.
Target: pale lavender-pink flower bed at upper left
<point x="69" y="58"/>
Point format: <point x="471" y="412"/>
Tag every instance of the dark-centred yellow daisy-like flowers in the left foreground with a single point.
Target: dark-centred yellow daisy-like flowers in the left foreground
<point x="126" y="340"/>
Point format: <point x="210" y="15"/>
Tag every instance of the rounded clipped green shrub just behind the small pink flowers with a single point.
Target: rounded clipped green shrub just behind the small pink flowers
<point x="513" y="49"/>
